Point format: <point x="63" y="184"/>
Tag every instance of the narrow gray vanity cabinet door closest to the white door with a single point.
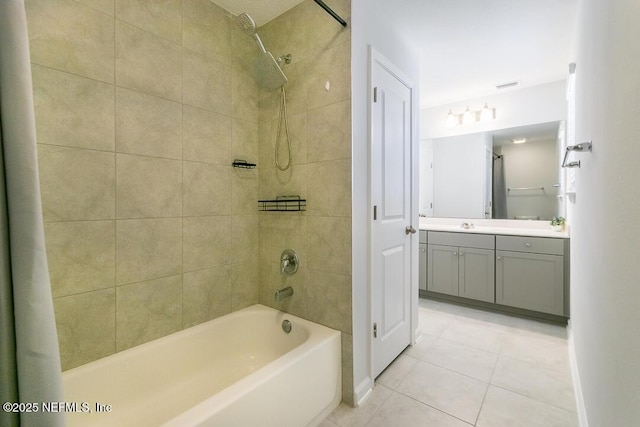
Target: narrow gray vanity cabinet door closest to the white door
<point x="442" y="269"/>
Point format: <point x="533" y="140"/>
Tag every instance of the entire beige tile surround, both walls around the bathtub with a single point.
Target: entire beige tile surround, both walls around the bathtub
<point x="140" y="109"/>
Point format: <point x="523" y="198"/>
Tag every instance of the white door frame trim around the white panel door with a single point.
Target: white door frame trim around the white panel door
<point x="377" y="57"/>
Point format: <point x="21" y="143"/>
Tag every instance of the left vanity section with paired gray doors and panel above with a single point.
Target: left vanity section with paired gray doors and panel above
<point x="462" y="265"/>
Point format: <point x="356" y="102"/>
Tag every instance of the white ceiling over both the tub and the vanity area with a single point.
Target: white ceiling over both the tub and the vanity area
<point x="467" y="47"/>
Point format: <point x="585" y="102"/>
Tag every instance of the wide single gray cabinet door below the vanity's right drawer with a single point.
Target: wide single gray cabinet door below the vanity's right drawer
<point x="530" y="281"/>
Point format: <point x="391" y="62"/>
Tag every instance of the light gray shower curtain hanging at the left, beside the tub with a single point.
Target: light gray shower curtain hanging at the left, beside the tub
<point x="29" y="357"/>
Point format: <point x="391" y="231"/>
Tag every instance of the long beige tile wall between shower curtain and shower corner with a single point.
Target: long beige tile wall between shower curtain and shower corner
<point x="140" y="110"/>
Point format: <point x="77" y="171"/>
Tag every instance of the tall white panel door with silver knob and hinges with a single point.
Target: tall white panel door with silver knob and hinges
<point x="391" y="199"/>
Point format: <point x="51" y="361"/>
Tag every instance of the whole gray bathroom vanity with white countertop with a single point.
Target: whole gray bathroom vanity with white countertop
<point x="502" y="265"/>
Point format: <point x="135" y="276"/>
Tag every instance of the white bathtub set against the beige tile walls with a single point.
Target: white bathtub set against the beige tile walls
<point x="237" y="370"/>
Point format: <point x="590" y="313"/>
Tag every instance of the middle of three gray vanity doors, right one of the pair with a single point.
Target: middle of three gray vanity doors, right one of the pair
<point x="477" y="274"/>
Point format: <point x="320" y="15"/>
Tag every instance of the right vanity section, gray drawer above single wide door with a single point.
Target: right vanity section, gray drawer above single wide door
<point x="530" y="273"/>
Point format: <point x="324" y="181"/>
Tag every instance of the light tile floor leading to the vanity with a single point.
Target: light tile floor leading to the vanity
<point x="472" y="368"/>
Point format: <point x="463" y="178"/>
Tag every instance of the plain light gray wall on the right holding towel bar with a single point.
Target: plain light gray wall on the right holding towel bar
<point x="605" y="247"/>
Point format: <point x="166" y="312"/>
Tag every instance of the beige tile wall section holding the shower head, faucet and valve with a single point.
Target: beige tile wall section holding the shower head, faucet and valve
<point x="320" y="128"/>
